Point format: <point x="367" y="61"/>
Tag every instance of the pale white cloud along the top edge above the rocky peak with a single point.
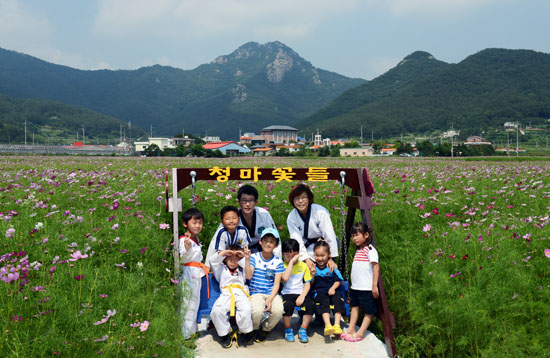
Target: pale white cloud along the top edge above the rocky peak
<point x="195" y="18"/>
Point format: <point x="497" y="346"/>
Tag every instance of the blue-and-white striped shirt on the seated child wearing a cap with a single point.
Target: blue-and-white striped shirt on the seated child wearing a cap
<point x="264" y="273"/>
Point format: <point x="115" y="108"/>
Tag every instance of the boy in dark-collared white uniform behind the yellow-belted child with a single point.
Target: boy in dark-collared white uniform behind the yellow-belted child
<point x="230" y="233"/>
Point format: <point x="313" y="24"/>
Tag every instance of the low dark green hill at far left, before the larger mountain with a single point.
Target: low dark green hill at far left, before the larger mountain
<point x="55" y="122"/>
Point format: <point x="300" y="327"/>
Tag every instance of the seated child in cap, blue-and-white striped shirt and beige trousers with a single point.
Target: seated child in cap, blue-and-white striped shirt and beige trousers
<point x="264" y="270"/>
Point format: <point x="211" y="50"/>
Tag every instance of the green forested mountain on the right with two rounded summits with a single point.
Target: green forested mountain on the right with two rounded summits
<point x="422" y="94"/>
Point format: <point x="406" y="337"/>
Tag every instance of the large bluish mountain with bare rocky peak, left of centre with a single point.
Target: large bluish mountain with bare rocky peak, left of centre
<point x="253" y="87"/>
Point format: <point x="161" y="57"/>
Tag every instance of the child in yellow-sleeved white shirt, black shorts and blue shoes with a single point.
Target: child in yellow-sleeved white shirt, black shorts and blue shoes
<point x="297" y="282"/>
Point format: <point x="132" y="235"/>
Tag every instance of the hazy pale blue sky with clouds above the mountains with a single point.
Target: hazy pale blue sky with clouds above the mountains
<point x="355" y="38"/>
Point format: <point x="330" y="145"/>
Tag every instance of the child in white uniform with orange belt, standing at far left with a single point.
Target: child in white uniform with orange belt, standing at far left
<point x="192" y="269"/>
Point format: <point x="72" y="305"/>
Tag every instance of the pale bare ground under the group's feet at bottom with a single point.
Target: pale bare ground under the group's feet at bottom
<point x="276" y="346"/>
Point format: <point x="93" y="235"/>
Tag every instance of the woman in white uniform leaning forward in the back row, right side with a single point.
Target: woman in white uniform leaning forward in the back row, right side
<point x="309" y="222"/>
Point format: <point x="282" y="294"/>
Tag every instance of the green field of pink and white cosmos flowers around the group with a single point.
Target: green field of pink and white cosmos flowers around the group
<point x="86" y="265"/>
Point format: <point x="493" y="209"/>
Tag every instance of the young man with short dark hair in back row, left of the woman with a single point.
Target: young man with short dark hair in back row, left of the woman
<point x="254" y="218"/>
